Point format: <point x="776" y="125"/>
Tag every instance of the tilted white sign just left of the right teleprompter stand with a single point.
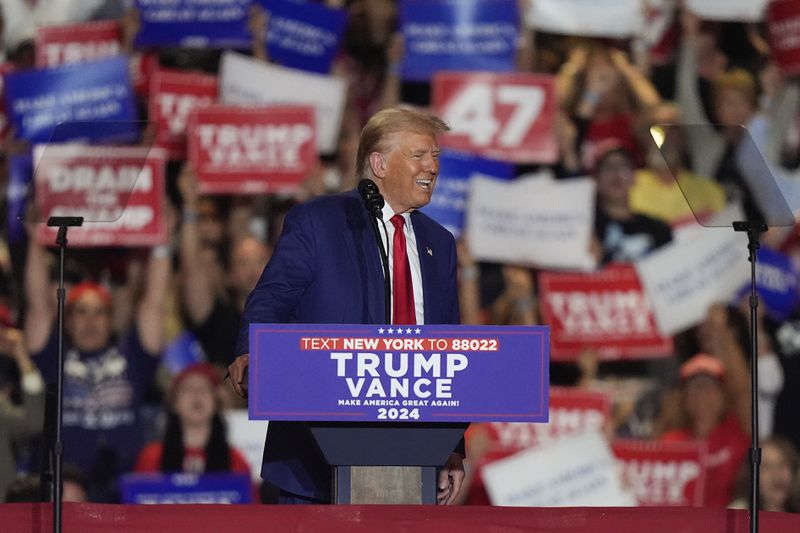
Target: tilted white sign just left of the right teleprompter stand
<point x="684" y="278"/>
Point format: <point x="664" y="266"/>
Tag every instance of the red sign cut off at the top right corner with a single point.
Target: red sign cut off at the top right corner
<point x="783" y="26"/>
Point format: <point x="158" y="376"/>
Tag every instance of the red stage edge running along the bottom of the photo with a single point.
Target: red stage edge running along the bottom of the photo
<point x="97" y="518"/>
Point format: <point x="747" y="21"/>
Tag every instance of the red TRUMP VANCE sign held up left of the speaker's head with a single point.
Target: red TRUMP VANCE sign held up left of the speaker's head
<point x="251" y="149"/>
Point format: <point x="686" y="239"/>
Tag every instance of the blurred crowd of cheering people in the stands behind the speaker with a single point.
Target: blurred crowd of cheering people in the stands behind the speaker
<point x="126" y="410"/>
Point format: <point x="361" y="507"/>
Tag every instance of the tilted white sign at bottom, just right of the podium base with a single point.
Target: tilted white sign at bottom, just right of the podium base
<point x="578" y="471"/>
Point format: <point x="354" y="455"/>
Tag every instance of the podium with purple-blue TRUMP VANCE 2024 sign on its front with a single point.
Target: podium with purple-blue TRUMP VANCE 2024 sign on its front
<point x="387" y="407"/>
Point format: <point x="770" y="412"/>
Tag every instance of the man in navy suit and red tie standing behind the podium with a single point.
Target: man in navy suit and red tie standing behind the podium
<point x="326" y="268"/>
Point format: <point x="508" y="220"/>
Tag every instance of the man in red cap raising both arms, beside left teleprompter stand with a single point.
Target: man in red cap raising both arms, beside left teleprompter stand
<point x="105" y="376"/>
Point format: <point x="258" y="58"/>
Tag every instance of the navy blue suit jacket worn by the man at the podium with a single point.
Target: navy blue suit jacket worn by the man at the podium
<point x="326" y="269"/>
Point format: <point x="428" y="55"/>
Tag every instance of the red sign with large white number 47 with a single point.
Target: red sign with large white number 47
<point x="510" y="117"/>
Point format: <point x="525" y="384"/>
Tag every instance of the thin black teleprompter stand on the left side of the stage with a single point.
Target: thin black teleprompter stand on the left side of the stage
<point x="62" y="223"/>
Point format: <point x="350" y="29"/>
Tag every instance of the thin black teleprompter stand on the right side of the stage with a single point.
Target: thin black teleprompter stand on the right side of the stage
<point x="753" y="229"/>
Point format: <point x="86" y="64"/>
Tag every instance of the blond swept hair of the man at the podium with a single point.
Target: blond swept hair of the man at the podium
<point x="388" y="121"/>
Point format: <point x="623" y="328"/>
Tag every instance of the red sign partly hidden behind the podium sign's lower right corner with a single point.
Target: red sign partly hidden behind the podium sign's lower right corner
<point x="572" y="411"/>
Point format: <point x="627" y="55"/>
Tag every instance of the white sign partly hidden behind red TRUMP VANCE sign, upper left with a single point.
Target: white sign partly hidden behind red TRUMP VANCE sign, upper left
<point x="248" y="81"/>
